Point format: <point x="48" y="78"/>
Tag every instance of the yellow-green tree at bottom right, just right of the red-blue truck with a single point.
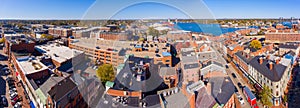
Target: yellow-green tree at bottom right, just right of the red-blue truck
<point x="265" y="96"/>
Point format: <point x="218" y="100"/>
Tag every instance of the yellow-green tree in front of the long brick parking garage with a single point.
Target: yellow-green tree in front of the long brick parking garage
<point x="105" y="73"/>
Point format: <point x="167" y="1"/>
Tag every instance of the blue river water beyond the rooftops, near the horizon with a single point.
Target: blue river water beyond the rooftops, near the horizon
<point x="214" y="29"/>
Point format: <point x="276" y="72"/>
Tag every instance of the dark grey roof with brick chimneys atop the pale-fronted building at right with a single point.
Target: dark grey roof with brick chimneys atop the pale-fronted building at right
<point x="274" y="75"/>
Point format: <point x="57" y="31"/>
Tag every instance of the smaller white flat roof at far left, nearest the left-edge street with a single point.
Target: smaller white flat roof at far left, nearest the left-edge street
<point x="30" y="65"/>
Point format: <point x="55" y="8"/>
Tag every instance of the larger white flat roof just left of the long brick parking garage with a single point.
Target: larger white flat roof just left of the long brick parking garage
<point x="57" y="52"/>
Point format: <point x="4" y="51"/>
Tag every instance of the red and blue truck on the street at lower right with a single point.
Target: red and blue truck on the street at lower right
<point x="250" y="97"/>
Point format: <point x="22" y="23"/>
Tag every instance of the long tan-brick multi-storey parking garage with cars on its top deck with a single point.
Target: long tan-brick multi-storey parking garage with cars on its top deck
<point x="114" y="52"/>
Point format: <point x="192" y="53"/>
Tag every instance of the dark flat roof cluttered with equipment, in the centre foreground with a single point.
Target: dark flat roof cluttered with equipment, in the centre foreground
<point x="130" y="81"/>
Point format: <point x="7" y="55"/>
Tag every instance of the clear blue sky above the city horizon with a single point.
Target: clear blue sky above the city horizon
<point x="151" y="9"/>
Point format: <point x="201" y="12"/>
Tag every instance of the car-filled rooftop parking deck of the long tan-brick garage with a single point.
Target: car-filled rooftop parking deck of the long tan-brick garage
<point x="117" y="46"/>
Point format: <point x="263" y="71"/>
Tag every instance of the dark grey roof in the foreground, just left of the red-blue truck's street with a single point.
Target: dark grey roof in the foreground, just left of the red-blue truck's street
<point x="222" y="89"/>
